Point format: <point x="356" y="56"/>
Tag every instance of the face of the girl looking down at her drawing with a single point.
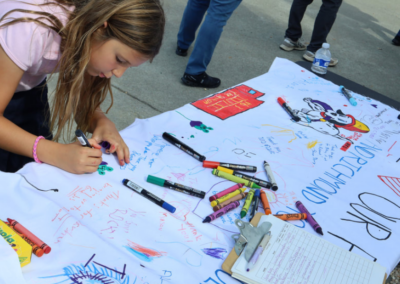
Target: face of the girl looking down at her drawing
<point x="112" y="58"/>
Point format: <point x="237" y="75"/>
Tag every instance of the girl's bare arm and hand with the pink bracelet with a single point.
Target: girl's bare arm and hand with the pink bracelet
<point x="71" y="157"/>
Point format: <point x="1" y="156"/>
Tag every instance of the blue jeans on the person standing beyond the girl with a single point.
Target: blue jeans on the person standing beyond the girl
<point x="218" y="13"/>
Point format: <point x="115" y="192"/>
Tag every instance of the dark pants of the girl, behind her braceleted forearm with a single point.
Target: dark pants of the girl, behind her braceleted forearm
<point x="30" y="111"/>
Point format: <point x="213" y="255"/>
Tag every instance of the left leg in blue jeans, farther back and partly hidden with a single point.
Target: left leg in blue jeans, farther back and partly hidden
<point x="191" y="19"/>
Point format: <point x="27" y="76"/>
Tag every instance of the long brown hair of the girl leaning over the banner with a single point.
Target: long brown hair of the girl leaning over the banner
<point x="139" y="24"/>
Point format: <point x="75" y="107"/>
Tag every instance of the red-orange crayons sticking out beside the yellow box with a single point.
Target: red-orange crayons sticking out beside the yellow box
<point x="38" y="246"/>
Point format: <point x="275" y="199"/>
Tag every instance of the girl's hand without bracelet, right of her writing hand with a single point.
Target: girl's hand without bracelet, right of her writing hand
<point x="106" y="131"/>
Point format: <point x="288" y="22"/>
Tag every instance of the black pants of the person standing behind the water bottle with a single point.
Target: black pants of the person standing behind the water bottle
<point x="322" y="26"/>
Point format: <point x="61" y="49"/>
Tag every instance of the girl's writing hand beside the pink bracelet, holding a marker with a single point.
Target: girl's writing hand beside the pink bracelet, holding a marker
<point x="76" y="159"/>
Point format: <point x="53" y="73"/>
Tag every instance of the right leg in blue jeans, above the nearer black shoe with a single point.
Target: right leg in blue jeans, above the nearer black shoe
<point x="209" y="34"/>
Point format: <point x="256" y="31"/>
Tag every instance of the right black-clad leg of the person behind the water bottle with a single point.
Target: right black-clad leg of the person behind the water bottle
<point x="323" y="23"/>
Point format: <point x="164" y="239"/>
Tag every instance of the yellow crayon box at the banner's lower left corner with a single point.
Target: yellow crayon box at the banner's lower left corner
<point x="23" y="249"/>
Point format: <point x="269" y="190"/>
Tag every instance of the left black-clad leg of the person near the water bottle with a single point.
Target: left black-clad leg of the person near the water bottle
<point x="296" y="14"/>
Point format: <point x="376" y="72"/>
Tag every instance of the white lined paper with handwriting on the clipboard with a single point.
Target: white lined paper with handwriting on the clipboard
<point x="296" y="256"/>
